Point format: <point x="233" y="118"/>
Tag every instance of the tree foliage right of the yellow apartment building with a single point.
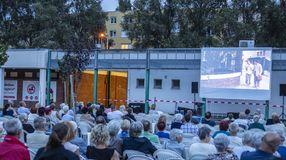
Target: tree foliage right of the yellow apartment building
<point x="204" y="23"/>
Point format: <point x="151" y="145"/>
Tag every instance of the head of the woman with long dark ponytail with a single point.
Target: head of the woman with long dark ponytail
<point x="57" y="136"/>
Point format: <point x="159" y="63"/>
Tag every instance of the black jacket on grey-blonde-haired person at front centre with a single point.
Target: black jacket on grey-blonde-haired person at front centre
<point x="141" y="144"/>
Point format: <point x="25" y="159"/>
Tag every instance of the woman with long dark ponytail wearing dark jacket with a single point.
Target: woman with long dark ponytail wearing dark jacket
<point x="54" y="148"/>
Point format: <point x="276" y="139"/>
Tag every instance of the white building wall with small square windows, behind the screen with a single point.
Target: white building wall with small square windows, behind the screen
<point x="184" y="94"/>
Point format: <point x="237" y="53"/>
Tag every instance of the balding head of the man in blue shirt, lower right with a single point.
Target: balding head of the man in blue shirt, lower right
<point x="270" y="142"/>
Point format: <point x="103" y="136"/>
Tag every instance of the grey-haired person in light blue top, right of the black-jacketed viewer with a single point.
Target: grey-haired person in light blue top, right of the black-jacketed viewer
<point x="175" y="143"/>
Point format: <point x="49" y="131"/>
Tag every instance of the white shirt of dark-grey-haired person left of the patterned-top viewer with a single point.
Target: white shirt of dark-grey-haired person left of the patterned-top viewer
<point x="199" y="151"/>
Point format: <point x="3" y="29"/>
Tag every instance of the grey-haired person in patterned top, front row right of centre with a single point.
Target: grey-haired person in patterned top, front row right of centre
<point x="221" y="143"/>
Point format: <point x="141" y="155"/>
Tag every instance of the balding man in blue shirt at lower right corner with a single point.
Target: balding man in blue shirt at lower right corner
<point x="269" y="145"/>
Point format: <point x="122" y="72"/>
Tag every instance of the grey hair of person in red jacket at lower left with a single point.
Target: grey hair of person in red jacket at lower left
<point x="13" y="127"/>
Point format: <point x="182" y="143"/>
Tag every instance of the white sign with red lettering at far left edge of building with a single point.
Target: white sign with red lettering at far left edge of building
<point x="10" y="90"/>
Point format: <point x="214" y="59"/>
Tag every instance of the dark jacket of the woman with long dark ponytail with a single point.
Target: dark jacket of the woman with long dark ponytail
<point x="59" y="153"/>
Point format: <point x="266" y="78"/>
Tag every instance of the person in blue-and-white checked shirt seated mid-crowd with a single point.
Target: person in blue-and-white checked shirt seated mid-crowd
<point x="189" y="126"/>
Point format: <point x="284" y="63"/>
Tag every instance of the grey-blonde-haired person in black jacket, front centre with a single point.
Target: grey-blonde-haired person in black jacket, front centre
<point x="135" y="142"/>
